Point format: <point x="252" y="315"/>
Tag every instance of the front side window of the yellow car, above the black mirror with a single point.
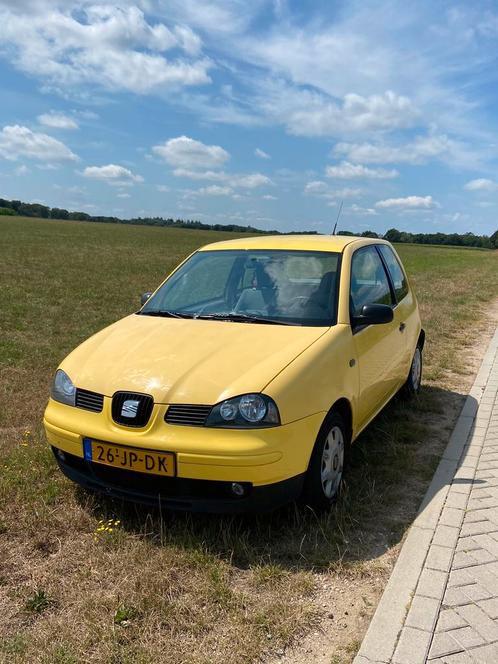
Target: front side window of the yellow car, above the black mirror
<point x="369" y="282"/>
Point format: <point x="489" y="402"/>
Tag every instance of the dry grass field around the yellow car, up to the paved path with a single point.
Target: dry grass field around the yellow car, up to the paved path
<point x="75" y="587"/>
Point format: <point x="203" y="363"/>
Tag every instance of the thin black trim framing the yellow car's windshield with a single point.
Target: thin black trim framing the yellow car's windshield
<point x="330" y="322"/>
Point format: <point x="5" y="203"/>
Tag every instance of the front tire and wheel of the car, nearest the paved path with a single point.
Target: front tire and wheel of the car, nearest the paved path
<point x="323" y="479"/>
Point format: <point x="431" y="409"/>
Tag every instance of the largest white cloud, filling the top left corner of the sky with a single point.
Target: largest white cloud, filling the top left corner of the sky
<point x="113" y="47"/>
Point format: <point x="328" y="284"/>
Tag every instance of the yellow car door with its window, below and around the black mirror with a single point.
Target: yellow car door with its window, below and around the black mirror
<point x="379" y="348"/>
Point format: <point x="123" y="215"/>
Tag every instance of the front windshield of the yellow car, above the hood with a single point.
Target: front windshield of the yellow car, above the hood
<point x="279" y="287"/>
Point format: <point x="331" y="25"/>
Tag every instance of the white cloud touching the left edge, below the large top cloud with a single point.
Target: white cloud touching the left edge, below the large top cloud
<point x="17" y="141"/>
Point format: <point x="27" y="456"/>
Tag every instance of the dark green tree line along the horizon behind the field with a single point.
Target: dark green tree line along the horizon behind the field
<point x="15" y="207"/>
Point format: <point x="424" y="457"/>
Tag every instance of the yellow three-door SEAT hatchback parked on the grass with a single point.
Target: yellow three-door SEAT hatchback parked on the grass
<point x="243" y="379"/>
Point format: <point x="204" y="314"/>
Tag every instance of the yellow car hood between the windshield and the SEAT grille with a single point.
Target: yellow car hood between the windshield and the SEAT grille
<point x="186" y="361"/>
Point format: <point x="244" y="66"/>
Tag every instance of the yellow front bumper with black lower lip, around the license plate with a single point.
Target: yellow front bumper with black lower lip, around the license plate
<point x="271" y="462"/>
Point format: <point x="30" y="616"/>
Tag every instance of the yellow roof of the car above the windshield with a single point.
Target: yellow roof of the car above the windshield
<point x="295" y="242"/>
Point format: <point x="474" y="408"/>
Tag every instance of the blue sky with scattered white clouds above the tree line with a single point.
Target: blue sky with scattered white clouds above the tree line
<point x="269" y="112"/>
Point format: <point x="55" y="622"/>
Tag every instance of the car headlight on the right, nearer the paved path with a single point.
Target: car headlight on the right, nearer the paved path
<point x="245" y="412"/>
